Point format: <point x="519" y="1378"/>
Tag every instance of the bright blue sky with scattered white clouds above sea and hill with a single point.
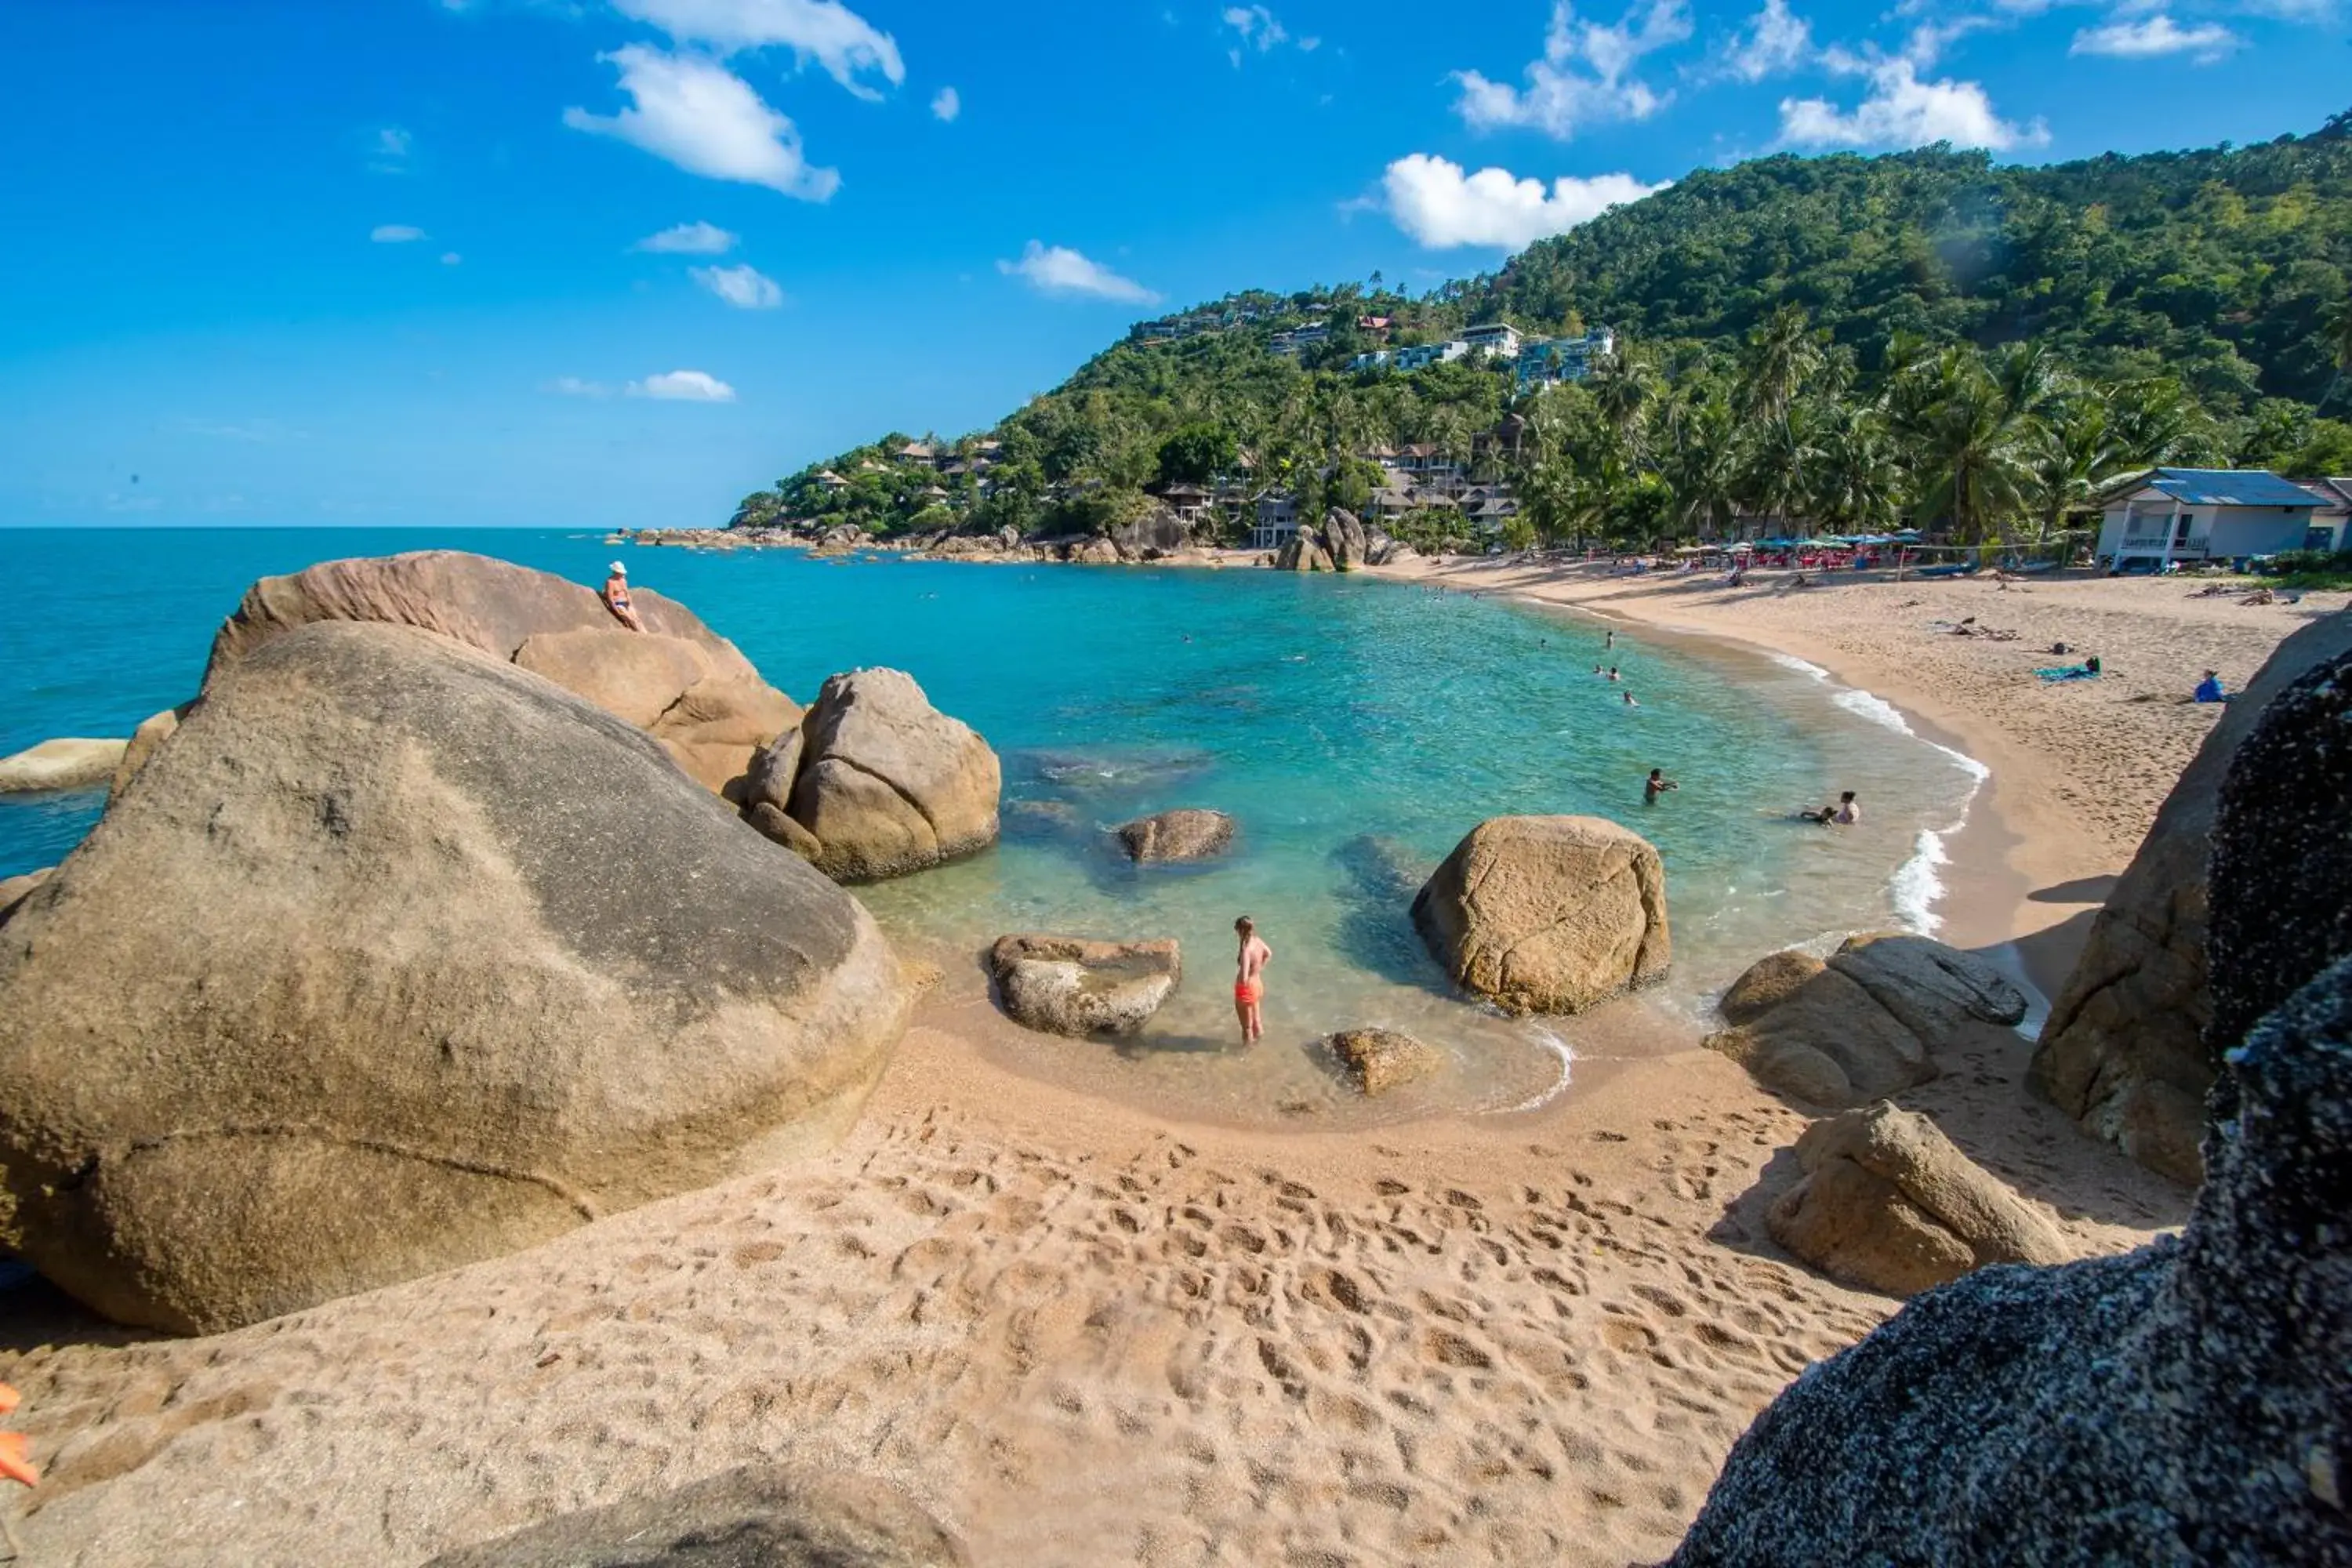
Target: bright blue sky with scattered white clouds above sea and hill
<point x="617" y="262"/>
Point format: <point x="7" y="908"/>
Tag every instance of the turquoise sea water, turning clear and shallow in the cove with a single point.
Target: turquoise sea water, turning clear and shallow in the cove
<point x="1354" y="728"/>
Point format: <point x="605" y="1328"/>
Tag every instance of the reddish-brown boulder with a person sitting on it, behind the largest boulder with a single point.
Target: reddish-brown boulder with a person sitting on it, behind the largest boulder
<point x="679" y="681"/>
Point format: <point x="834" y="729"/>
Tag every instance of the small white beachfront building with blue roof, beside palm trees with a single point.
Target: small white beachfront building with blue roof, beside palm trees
<point x="2198" y="516"/>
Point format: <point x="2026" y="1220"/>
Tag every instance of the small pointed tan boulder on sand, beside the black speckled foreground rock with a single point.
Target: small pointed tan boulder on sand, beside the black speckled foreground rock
<point x="1890" y="1205"/>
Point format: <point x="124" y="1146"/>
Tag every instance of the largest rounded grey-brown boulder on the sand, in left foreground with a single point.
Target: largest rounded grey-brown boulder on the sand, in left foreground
<point x="399" y="958"/>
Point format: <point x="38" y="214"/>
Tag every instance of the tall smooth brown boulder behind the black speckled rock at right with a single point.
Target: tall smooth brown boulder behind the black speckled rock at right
<point x="2125" y="1047"/>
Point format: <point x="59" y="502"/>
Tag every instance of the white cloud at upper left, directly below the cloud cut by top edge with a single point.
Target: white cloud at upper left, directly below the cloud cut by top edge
<point x="707" y="121"/>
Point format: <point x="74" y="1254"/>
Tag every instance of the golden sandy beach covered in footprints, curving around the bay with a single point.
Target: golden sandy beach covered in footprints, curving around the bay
<point x="1081" y="1334"/>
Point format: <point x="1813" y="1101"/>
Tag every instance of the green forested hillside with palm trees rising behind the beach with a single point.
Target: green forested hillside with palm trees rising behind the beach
<point x="1845" y="340"/>
